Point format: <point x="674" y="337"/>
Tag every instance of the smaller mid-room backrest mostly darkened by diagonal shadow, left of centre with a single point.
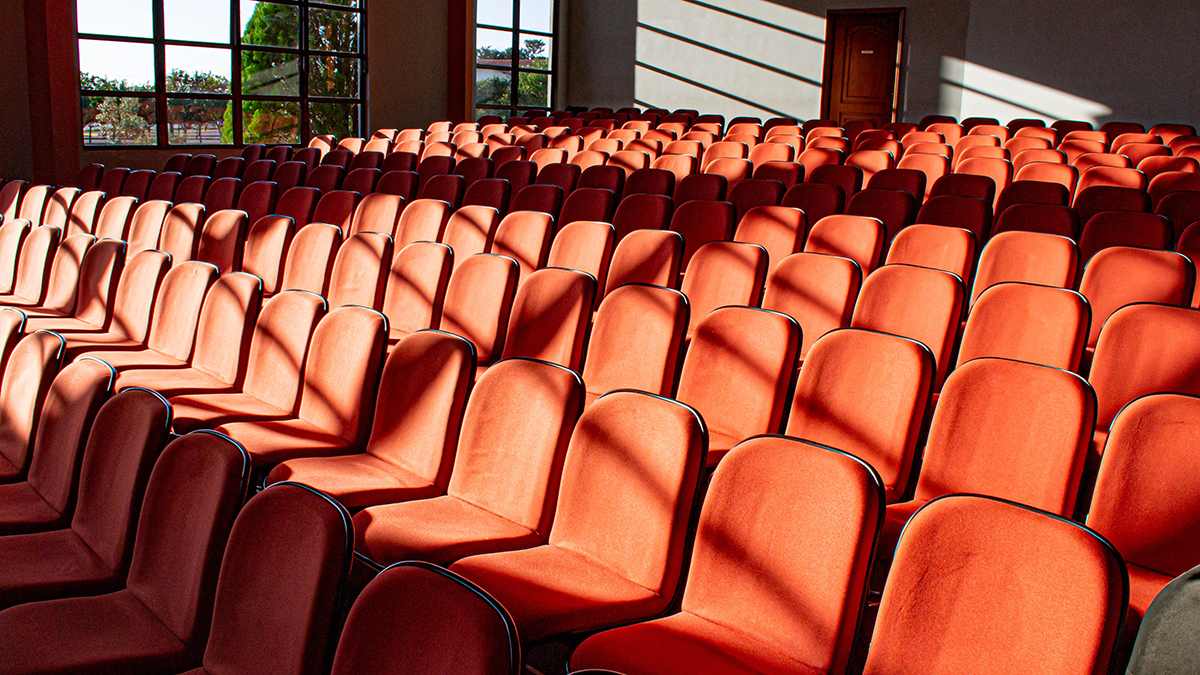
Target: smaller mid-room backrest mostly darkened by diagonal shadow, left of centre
<point x="550" y="318"/>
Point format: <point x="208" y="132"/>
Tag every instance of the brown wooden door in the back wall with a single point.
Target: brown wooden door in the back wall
<point x="862" y="75"/>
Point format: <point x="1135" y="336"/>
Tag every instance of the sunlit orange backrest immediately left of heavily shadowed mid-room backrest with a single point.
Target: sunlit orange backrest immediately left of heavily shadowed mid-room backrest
<point x="478" y="302"/>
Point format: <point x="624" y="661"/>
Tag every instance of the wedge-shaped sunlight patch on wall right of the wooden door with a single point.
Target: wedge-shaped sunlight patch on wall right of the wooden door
<point x="974" y="91"/>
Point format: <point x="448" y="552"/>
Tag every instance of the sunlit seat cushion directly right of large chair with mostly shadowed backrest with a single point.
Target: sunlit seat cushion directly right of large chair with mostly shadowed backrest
<point x="441" y="531"/>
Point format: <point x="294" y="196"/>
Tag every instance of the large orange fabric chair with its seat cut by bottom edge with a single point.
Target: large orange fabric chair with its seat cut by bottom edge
<point x="779" y="593"/>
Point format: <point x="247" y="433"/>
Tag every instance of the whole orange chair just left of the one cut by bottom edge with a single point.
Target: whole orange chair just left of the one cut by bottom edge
<point x="616" y="549"/>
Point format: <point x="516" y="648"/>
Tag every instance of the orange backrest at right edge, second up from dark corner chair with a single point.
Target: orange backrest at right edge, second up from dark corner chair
<point x="1145" y="349"/>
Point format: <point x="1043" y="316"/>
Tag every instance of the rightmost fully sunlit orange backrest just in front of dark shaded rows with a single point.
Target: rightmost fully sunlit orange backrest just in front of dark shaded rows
<point x="1120" y="276"/>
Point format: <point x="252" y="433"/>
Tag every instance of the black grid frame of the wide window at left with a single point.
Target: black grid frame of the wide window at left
<point x="236" y="98"/>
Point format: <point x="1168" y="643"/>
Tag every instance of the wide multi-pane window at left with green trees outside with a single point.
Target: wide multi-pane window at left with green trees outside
<point x="301" y="70"/>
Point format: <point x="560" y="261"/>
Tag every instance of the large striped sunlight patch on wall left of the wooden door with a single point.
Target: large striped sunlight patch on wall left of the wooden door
<point x="729" y="57"/>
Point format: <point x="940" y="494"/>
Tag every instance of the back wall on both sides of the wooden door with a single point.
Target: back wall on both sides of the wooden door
<point x="1097" y="59"/>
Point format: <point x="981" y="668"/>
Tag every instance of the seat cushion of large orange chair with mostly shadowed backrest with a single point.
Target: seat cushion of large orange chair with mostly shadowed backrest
<point x="357" y="481"/>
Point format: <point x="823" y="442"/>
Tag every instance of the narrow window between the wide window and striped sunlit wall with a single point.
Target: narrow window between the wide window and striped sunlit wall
<point x="514" y="56"/>
